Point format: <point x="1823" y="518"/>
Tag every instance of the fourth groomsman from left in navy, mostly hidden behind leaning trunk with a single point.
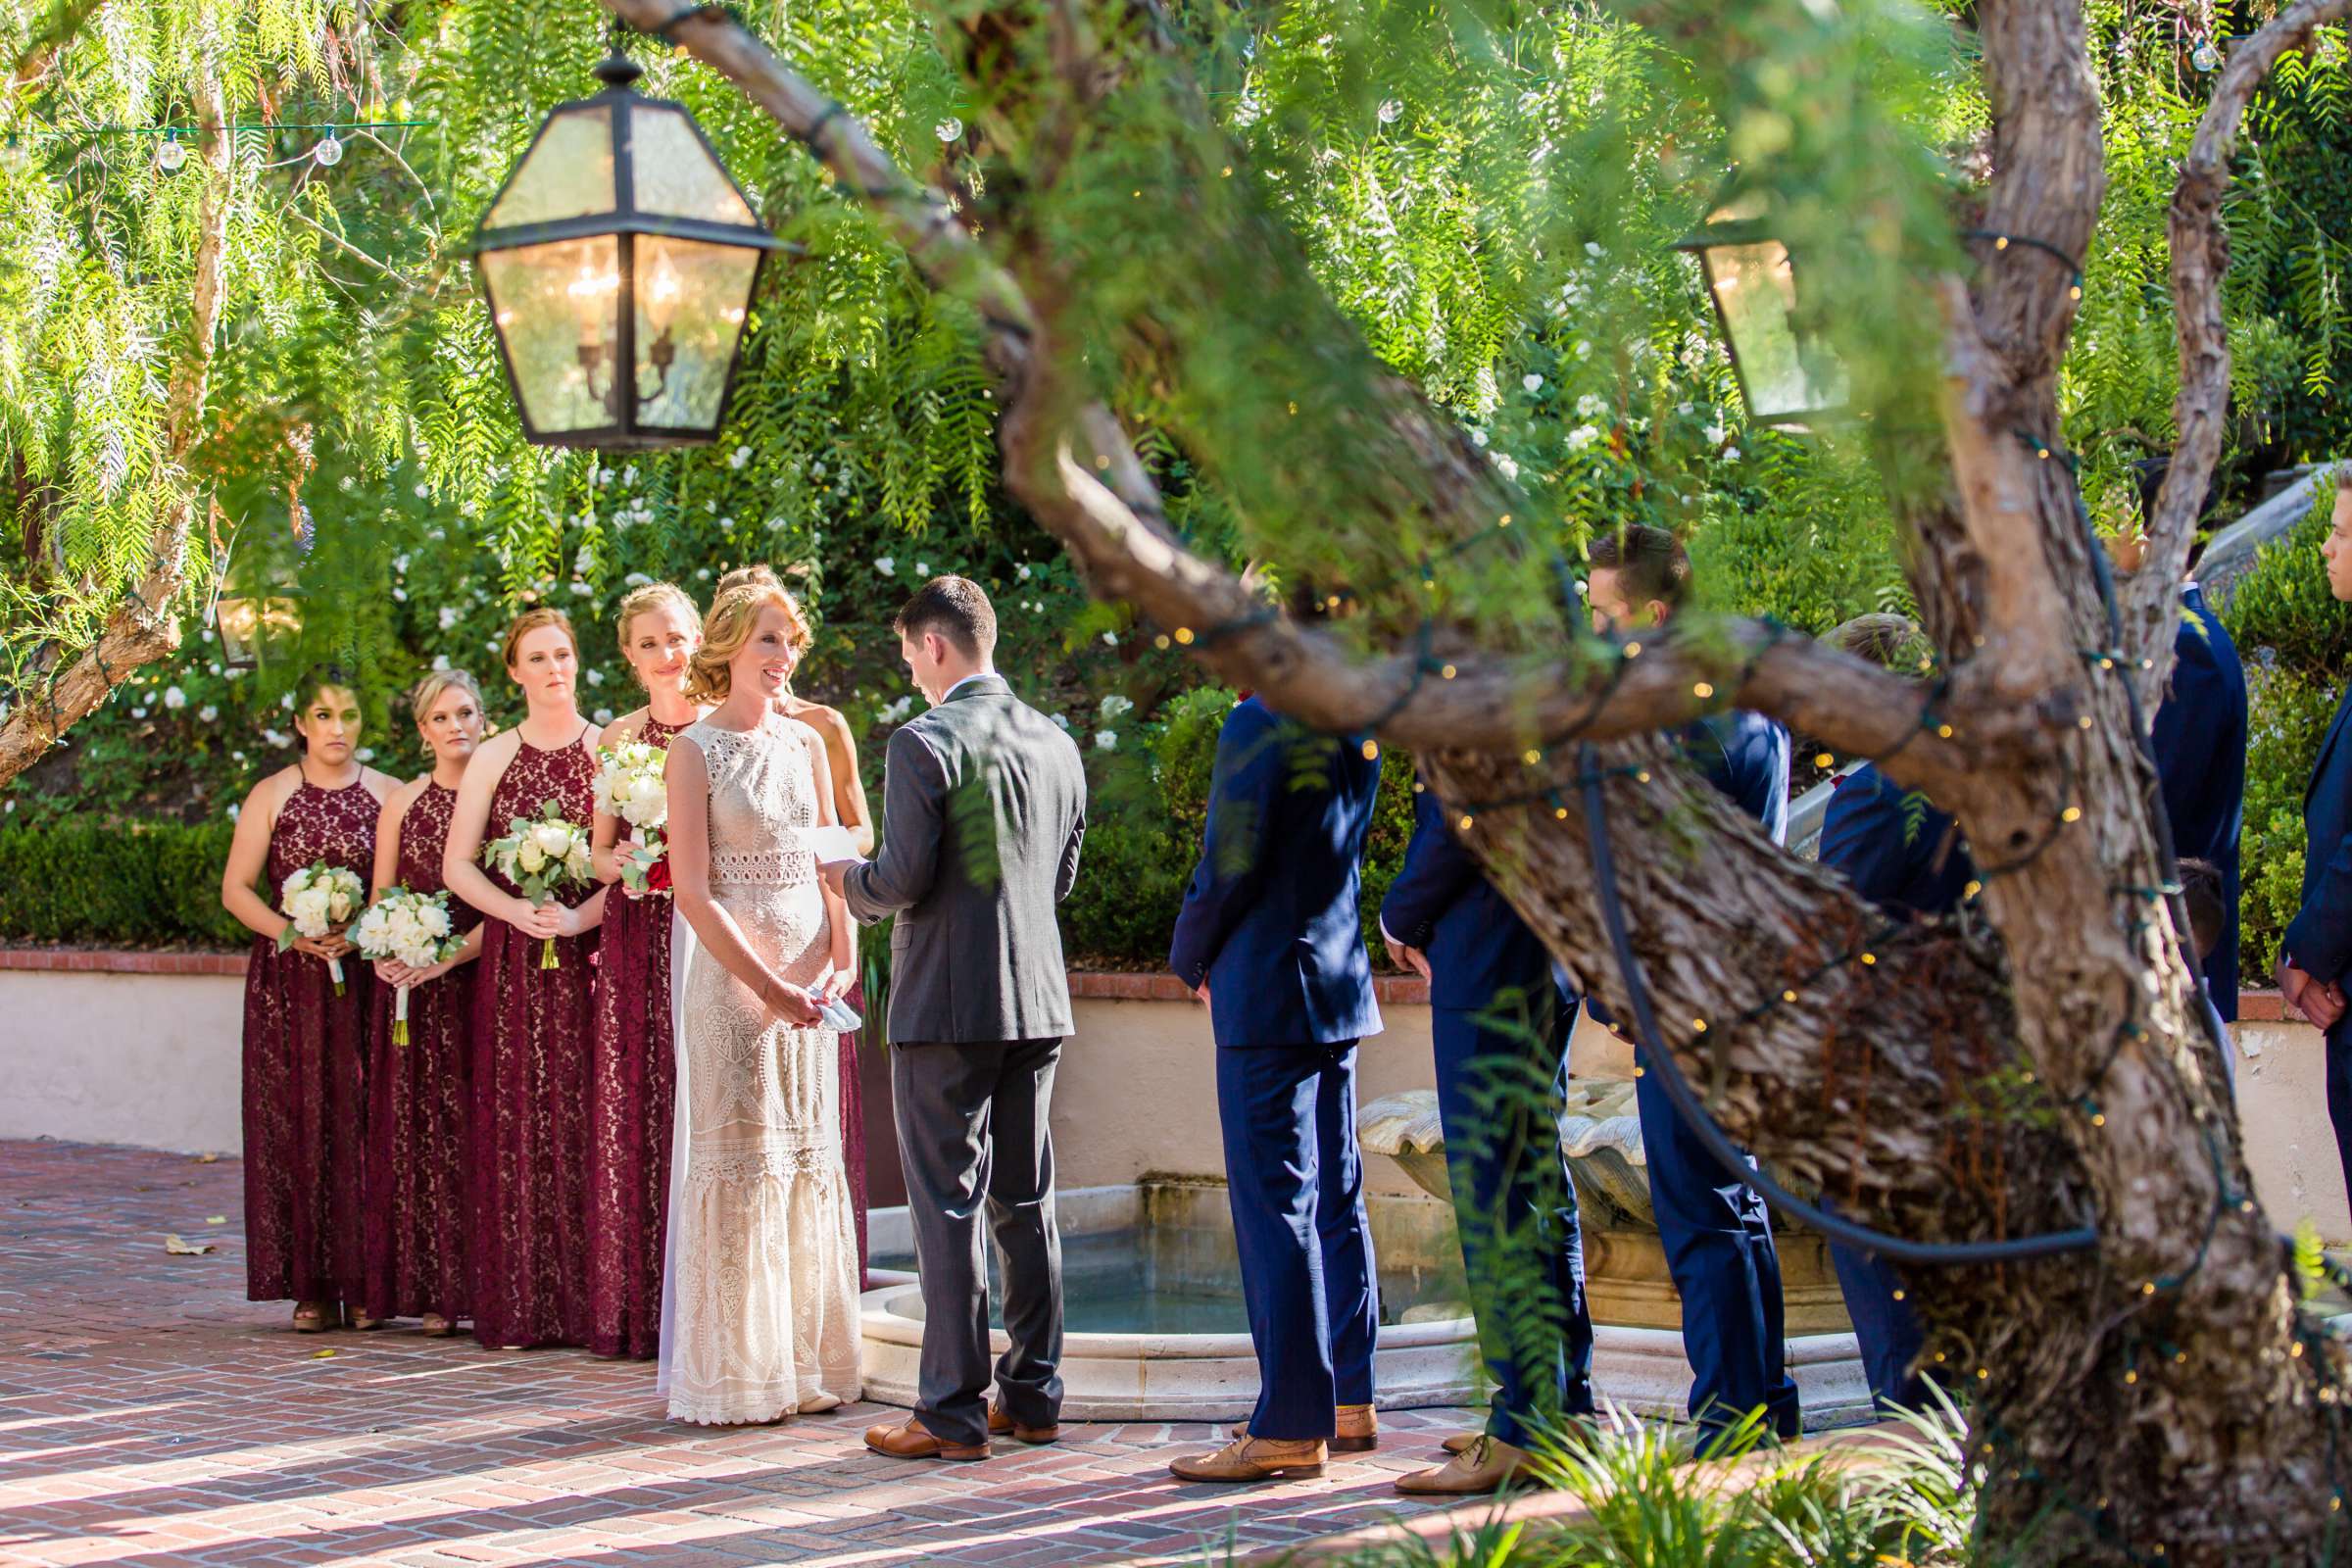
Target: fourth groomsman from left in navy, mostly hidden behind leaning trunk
<point x="1906" y="857"/>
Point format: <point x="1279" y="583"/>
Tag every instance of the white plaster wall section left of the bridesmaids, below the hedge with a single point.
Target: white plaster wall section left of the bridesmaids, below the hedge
<point x="123" y="1059"/>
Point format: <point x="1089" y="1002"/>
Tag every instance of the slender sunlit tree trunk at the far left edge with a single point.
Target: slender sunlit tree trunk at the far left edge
<point x="145" y="626"/>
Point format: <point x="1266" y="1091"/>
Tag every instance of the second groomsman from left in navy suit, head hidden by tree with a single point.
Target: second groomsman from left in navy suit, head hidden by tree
<point x="1502" y="1017"/>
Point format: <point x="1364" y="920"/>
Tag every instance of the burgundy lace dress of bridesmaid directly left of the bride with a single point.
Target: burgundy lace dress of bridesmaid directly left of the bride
<point x="632" y="1099"/>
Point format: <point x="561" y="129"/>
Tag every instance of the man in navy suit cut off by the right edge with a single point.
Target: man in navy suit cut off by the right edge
<point x="2318" y="951"/>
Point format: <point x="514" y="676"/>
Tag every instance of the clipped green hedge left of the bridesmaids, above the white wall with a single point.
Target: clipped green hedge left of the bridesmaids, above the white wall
<point x="109" y="883"/>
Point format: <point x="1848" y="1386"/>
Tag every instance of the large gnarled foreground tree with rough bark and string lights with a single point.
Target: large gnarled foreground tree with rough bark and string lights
<point x="2029" y="1071"/>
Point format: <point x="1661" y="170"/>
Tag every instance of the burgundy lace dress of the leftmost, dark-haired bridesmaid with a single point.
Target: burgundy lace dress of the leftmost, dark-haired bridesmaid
<point x="305" y="1085"/>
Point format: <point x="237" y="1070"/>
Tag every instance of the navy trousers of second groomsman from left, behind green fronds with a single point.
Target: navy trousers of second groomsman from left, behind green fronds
<point x="1516" y="1212"/>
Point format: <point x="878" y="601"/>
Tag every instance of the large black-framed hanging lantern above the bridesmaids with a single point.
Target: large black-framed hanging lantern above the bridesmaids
<point x="620" y="262"/>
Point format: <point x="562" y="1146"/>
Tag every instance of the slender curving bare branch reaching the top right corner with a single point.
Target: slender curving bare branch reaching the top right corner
<point x="2200" y="260"/>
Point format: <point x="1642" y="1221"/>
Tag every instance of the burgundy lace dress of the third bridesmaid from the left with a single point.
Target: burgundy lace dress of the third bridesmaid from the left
<point x="533" y="1033"/>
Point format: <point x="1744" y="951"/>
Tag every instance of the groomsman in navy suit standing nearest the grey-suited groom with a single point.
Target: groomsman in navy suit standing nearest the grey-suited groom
<point x="1271" y="939"/>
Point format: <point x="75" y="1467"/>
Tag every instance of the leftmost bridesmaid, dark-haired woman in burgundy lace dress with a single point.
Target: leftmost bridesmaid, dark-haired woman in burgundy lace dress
<point x="305" y="1047"/>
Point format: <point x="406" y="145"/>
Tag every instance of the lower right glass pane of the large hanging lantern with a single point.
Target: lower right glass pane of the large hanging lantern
<point x="690" y="319"/>
